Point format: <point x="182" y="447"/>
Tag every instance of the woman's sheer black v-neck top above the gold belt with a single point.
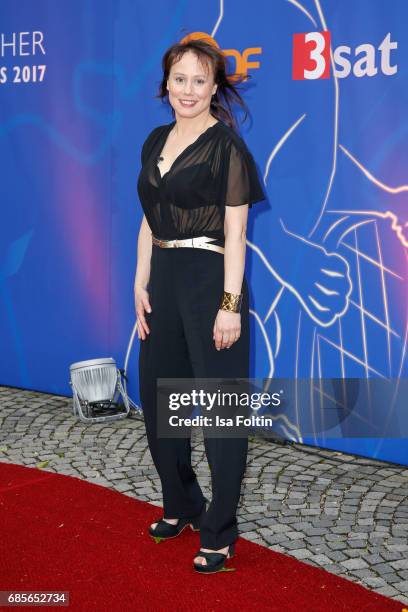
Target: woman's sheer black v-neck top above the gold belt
<point x="214" y="171"/>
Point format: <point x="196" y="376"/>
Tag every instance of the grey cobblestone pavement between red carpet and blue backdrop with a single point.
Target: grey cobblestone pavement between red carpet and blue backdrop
<point x="346" y="514"/>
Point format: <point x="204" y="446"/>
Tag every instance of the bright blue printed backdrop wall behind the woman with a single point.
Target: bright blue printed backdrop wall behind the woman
<point x="327" y="253"/>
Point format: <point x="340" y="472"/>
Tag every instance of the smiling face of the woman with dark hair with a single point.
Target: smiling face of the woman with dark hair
<point x="189" y="81"/>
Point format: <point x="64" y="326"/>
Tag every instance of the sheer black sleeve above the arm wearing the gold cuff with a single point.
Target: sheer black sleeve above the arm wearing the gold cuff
<point x="243" y="184"/>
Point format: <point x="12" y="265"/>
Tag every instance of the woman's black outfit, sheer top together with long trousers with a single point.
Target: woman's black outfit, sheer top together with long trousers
<point x="185" y="289"/>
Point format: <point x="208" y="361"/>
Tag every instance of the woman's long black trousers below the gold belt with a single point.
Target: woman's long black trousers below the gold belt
<point x="185" y="290"/>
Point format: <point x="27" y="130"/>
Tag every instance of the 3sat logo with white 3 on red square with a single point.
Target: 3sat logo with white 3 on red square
<point x="311" y="57"/>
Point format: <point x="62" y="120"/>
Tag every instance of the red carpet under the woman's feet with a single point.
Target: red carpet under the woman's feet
<point x="61" y="533"/>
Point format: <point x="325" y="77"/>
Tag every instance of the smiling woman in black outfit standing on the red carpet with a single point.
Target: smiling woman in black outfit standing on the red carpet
<point x="197" y="181"/>
